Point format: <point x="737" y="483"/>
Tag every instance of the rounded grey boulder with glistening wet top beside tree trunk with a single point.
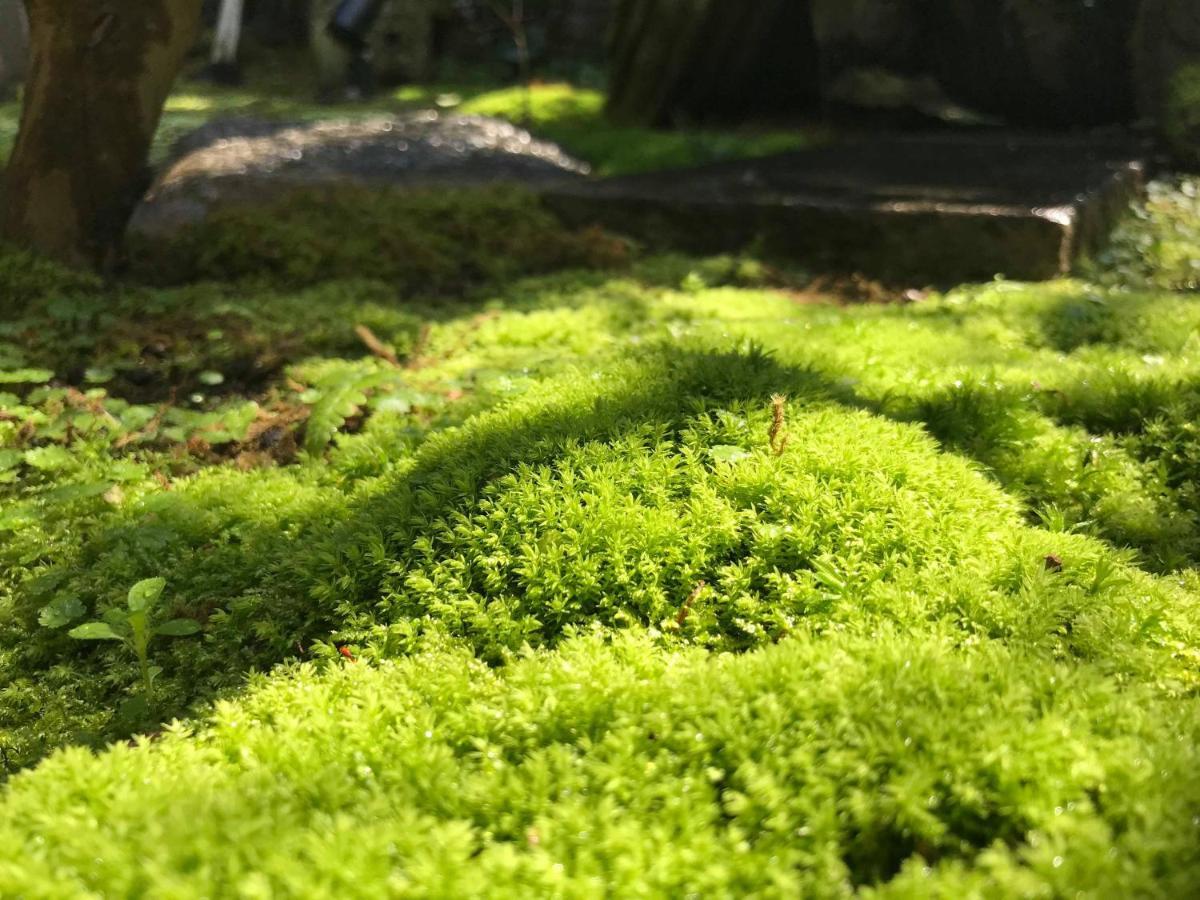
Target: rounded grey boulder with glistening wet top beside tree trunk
<point x="244" y="160"/>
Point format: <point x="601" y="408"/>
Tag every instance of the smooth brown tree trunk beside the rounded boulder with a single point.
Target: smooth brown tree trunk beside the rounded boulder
<point x="99" y="77"/>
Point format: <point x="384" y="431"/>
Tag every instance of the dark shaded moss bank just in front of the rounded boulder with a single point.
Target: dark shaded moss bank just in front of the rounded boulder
<point x="427" y="243"/>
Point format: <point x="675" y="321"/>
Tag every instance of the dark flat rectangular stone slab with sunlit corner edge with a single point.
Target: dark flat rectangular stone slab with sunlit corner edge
<point x="935" y="209"/>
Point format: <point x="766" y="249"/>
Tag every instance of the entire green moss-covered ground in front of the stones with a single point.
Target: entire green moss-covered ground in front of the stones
<point x="526" y="565"/>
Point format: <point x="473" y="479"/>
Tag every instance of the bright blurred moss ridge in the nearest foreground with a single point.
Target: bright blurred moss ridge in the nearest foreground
<point x="815" y="767"/>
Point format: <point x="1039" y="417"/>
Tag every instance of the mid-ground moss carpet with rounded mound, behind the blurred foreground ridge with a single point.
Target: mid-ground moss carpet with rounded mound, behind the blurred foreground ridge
<point x="659" y="467"/>
